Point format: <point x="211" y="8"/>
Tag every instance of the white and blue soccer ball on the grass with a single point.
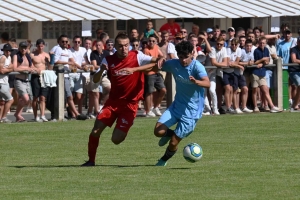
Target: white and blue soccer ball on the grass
<point x="192" y="152"/>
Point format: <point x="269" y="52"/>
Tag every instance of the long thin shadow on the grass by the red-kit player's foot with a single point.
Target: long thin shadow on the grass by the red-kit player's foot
<point x="71" y="166"/>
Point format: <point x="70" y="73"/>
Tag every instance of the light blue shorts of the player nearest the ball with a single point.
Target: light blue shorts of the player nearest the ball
<point x="185" y="126"/>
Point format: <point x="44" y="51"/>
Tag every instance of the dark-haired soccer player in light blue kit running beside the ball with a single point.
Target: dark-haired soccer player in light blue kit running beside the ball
<point x="191" y="80"/>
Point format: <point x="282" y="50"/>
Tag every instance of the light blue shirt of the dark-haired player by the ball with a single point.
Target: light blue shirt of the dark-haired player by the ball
<point x="189" y="98"/>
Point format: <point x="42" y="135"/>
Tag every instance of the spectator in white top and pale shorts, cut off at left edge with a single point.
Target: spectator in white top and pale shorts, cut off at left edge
<point x="6" y="98"/>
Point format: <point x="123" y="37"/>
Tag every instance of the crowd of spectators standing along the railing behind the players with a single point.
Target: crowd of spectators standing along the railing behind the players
<point x="234" y="88"/>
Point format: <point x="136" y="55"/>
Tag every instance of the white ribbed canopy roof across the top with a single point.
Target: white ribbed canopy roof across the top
<point x="59" y="10"/>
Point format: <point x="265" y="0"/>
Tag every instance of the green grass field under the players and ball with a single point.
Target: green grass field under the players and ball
<point x="253" y="156"/>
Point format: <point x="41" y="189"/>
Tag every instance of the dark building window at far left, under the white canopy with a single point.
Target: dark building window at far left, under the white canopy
<point x="14" y="29"/>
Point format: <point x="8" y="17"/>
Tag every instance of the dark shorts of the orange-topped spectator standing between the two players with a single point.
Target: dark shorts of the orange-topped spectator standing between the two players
<point x="152" y="82"/>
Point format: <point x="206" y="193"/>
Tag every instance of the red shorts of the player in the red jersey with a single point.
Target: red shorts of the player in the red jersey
<point x="122" y="110"/>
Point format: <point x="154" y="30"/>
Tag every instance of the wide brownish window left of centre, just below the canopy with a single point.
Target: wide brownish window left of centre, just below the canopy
<point x="52" y="30"/>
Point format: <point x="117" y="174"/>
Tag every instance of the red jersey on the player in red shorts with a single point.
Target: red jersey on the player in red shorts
<point x="129" y="87"/>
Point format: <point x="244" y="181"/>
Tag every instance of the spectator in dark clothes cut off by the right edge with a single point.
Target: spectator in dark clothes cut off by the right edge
<point x="294" y="72"/>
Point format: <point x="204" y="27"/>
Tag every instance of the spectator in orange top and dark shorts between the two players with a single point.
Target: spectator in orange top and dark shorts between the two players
<point x="153" y="80"/>
